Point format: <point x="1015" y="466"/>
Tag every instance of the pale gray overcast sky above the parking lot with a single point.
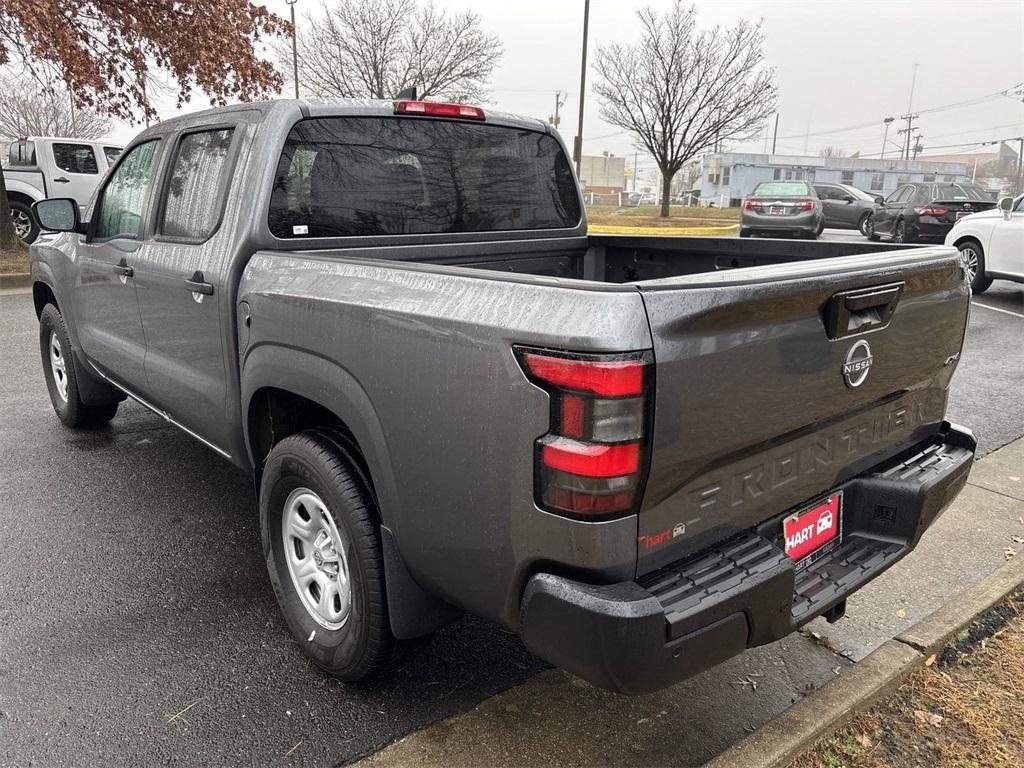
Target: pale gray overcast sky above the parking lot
<point x="839" y="64"/>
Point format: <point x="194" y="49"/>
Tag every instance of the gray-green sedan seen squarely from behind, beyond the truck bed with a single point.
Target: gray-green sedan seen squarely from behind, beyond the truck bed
<point x="787" y="207"/>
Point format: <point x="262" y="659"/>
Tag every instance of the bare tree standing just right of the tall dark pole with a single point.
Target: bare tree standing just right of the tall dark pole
<point x="680" y="92"/>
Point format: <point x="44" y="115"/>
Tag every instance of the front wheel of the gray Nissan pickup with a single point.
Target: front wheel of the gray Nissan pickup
<point x="61" y="373"/>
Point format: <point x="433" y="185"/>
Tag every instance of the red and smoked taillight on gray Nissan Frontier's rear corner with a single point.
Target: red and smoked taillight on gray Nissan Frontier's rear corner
<point x="591" y="463"/>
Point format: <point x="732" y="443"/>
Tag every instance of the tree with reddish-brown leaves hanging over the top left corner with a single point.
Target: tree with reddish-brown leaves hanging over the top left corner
<point x="103" y="50"/>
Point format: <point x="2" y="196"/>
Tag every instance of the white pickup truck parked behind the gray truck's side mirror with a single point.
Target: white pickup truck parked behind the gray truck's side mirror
<point x="42" y="167"/>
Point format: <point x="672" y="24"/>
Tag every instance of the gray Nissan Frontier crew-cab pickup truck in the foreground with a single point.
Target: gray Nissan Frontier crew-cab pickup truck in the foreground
<point x="644" y="454"/>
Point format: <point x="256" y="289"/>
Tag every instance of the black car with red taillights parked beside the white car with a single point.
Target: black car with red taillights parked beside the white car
<point x="927" y="210"/>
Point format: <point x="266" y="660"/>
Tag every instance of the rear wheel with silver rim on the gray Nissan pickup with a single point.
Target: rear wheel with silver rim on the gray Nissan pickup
<point x="308" y="477"/>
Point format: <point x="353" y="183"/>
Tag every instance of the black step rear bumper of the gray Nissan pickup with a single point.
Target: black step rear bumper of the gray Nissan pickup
<point x="641" y="636"/>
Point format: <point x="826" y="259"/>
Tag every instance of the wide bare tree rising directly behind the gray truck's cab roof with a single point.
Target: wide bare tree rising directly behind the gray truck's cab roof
<point x="374" y="49"/>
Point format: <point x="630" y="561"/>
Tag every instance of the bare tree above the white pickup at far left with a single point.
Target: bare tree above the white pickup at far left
<point x="29" y="109"/>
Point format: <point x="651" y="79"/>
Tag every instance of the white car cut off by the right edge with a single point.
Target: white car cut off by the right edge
<point x="992" y="244"/>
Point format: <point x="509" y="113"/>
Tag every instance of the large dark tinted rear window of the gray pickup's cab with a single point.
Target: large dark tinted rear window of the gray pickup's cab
<point x="364" y="177"/>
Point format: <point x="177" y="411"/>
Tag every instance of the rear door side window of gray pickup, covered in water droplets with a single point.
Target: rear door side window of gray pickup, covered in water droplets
<point x="198" y="186"/>
